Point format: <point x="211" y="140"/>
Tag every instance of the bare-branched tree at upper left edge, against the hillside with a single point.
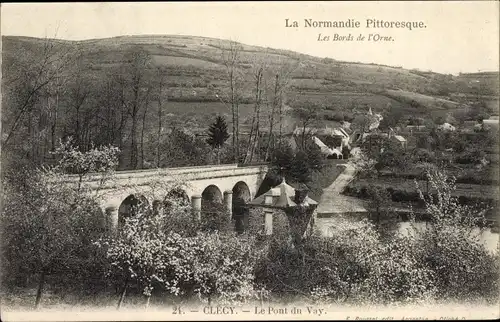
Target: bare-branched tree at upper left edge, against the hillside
<point x="31" y="87"/>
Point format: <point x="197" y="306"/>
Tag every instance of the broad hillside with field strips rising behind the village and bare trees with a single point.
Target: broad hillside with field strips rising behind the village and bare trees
<point x="194" y="82"/>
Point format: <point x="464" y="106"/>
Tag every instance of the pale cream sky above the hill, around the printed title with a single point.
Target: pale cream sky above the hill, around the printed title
<point x="458" y="36"/>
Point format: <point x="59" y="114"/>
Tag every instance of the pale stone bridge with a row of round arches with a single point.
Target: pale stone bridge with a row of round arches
<point x="216" y="183"/>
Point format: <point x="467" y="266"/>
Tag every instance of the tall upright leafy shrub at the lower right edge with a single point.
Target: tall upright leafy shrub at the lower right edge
<point x="450" y="246"/>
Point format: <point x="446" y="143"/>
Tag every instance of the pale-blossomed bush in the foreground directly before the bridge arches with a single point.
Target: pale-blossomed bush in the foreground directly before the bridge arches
<point x="160" y="257"/>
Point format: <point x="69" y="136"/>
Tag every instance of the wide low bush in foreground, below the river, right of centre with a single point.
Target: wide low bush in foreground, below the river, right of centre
<point x="350" y="266"/>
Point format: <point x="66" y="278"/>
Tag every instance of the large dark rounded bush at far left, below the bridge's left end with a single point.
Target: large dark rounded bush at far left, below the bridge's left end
<point x="48" y="229"/>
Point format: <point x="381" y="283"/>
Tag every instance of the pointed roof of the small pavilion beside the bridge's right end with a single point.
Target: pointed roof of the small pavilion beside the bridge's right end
<point x="282" y="195"/>
